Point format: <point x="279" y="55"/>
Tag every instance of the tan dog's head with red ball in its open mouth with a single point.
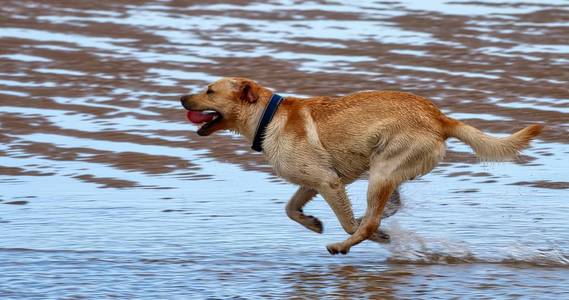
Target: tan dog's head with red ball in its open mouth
<point x="220" y="106"/>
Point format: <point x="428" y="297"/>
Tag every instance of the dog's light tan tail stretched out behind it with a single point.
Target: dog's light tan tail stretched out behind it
<point x="489" y="148"/>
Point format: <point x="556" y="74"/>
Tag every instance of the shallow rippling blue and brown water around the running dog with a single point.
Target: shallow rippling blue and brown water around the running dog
<point x="106" y="191"/>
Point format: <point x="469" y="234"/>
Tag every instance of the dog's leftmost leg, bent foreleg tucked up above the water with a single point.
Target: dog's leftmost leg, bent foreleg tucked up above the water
<point x="294" y="209"/>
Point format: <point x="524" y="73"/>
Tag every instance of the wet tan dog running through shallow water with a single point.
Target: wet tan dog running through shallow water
<point x="324" y="143"/>
